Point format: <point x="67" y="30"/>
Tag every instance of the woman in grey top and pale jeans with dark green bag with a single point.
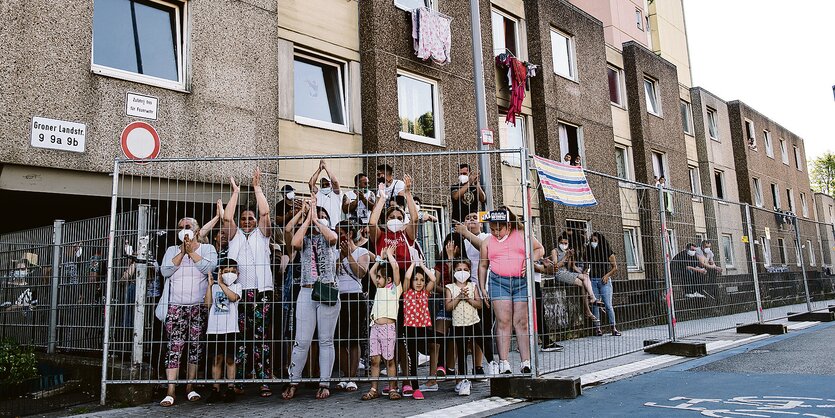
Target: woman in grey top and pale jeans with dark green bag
<point x="316" y="241"/>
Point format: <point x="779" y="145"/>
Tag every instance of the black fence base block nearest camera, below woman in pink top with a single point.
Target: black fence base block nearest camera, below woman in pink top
<point x="536" y="388"/>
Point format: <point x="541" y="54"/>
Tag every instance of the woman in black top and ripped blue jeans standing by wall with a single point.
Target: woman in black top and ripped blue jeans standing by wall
<point x="604" y="265"/>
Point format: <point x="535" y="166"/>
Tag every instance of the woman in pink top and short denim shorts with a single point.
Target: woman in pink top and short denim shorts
<point x="503" y="253"/>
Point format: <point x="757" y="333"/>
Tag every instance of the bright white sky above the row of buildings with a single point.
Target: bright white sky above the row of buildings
<point x="777" y="56"/>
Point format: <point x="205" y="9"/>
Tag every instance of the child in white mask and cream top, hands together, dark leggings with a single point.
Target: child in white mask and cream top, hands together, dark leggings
<point x="464" y="302"/>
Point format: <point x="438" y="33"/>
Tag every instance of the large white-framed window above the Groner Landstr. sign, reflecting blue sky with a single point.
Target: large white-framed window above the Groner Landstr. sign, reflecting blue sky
<point x="140" y="40"/>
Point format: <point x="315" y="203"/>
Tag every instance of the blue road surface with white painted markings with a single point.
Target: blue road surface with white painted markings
<point x="784" y="376"/>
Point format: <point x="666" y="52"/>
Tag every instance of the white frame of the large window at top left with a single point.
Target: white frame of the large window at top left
<point x="183" y="53"/>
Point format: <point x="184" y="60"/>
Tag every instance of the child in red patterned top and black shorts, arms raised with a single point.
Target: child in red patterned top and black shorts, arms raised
<point x="417" y="325"/>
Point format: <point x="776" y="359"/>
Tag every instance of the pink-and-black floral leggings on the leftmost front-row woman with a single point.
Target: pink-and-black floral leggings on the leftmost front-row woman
<point x="184" y="324"/>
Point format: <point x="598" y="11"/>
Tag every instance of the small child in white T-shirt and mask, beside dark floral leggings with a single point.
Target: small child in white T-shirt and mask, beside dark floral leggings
<point x="222" y="298"/>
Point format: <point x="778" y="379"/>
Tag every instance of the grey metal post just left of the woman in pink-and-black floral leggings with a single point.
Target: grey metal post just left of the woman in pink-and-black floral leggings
<point x="141" y="282"/>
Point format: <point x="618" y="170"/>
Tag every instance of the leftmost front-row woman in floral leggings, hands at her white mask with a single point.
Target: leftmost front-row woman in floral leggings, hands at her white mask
<point x="186" y="267"/>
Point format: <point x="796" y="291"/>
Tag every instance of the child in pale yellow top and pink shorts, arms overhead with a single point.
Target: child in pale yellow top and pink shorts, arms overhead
<point x="383" y="333"/>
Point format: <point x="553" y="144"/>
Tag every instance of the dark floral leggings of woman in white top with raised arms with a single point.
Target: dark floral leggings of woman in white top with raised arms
<point x="255" y="320"/>
